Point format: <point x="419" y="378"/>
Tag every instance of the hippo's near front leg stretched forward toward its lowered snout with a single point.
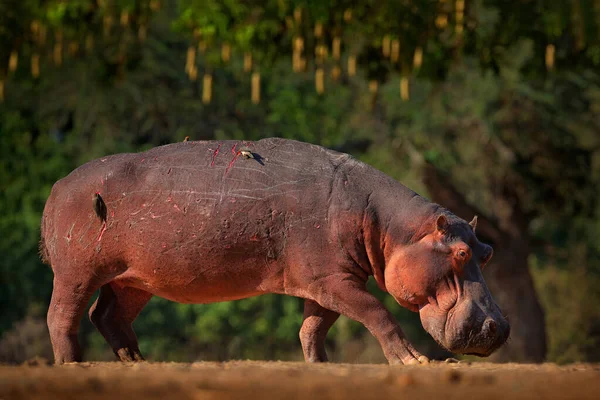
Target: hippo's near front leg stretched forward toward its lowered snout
<point x="348" y="295"/>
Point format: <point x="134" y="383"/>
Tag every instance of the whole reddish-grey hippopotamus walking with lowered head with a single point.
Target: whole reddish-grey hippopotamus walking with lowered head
<point x="210" y="221"/>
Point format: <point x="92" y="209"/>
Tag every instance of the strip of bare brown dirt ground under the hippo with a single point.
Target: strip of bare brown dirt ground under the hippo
<point x="260" y="380"/>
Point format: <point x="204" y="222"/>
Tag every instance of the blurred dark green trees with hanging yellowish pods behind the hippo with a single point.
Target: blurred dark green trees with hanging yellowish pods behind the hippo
<point x="488" y="107"/>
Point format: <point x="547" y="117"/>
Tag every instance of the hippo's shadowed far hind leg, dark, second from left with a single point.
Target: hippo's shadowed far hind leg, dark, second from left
<point x="113" y="313"/>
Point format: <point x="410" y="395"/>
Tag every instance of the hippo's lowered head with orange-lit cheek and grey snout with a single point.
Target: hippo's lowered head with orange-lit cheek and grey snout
<point x="440" y="275"/>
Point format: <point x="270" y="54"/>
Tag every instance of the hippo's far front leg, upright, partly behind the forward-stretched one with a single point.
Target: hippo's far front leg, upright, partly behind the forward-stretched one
<point x="316" y="324"/>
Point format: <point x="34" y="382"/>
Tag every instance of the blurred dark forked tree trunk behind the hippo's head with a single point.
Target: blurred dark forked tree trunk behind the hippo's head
<point x="507" y="275"/>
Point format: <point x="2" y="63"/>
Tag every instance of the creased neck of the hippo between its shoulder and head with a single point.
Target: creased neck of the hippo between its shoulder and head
<point x="395" y="216"/>
